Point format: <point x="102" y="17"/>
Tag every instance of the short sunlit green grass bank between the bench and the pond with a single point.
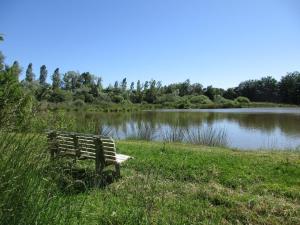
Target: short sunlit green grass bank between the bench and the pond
<point x="182" y="184"/>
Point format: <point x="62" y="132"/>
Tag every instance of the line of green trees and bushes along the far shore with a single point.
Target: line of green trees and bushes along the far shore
<point x="82" y="88"/>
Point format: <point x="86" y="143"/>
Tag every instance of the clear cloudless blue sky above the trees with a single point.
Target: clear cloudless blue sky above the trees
<point x="212" y="42"/>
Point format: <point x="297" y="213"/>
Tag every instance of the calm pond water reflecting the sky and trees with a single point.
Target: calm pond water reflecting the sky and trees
<point x="247" y="128"/>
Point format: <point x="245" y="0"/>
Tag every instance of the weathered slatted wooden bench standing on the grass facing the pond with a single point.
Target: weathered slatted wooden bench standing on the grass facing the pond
<point x="102" y="149"/>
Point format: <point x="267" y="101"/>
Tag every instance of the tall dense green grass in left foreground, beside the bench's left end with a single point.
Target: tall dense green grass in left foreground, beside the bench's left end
<point x="27" y="194"/>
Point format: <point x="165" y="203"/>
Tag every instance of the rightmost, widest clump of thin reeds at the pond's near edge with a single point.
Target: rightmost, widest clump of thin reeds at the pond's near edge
<point x="206" y="136"/>
